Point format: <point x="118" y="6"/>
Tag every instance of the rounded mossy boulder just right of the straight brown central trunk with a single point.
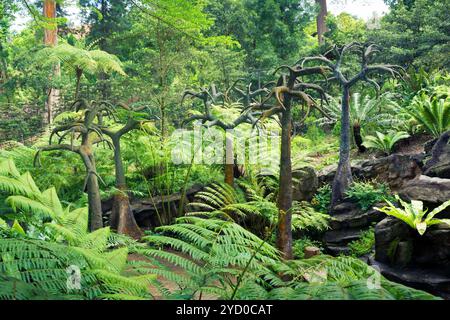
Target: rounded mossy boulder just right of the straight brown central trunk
<point x="305" y="184"/>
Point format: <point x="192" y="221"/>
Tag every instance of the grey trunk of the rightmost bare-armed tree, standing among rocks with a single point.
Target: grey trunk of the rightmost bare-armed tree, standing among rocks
<point x="343" y="176"/>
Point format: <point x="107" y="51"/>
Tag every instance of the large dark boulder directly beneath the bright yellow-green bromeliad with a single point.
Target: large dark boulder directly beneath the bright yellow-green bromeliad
<point x="404" y="256"/>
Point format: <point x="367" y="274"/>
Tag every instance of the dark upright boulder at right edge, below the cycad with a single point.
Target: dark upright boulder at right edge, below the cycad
<point x="439" y="164"/>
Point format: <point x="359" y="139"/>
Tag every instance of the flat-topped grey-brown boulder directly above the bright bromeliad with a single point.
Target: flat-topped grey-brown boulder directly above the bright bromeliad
<point x="427" y="189"/>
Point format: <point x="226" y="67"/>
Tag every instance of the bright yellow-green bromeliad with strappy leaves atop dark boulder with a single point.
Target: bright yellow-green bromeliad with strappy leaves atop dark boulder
<point x="414" y="215"/>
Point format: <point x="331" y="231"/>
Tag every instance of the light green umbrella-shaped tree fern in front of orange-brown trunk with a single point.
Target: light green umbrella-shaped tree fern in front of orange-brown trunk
<point x="82" y="59"/>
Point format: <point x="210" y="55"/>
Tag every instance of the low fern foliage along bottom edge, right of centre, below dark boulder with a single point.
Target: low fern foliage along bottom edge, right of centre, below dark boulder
<point x="344" y="278"/>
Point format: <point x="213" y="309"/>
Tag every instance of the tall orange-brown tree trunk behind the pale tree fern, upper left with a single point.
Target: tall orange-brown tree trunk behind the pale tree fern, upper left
<point x="51" y="39"/>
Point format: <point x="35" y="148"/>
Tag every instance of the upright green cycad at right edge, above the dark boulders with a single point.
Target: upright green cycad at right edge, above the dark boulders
<point x="431" y="113"/>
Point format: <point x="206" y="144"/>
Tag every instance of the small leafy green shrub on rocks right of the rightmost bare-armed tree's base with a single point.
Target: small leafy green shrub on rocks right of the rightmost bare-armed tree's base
<point x="366" y="194"/>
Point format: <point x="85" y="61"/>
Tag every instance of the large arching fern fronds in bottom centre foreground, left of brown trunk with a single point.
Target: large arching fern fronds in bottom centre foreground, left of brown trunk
<point x="223" y="259"/>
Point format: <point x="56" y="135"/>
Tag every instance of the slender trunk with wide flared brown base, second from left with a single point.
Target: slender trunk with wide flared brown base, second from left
<point x="122" y="218"/>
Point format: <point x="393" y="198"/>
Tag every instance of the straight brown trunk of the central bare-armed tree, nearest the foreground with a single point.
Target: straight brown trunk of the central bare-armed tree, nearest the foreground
<point x="284" y="234"/>
